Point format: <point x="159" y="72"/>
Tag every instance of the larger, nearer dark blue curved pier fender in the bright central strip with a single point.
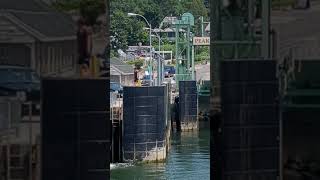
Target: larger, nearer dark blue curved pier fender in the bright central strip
<point x="146" y="124"/>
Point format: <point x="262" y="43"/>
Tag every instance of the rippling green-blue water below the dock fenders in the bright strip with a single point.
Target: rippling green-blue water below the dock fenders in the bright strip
<point x="189" y="158"/>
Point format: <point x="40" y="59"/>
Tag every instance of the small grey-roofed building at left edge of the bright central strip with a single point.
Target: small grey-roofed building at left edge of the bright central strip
<point x="121" y="72"/>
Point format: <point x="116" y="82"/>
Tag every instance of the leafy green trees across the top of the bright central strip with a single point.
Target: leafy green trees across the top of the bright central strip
<point x="129" y="30"/>
